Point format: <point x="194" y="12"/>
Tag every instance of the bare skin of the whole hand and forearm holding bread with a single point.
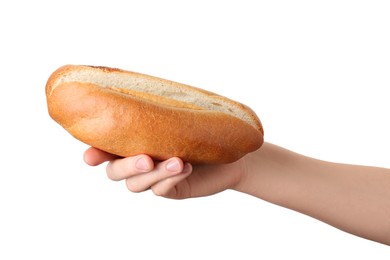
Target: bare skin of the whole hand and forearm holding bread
<point x="353" y="198"/>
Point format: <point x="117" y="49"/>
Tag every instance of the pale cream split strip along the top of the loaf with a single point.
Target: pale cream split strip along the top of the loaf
<point x="129" y="82"/>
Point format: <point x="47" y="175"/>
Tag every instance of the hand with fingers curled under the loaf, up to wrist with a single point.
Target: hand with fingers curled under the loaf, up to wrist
<point x="172" y="178"/>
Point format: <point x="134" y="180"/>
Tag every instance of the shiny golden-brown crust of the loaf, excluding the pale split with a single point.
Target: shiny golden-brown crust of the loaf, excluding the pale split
<point x="128" y="125"/>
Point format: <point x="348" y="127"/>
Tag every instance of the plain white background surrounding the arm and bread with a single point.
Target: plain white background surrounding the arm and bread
<point x="315" y="72"/>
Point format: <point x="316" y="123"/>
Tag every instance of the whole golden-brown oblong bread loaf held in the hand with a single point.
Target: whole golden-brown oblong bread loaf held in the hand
<point x="127" y="113"/>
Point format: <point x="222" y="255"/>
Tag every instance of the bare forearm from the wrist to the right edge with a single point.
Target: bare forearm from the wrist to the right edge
<point x="353" y="198"/>
